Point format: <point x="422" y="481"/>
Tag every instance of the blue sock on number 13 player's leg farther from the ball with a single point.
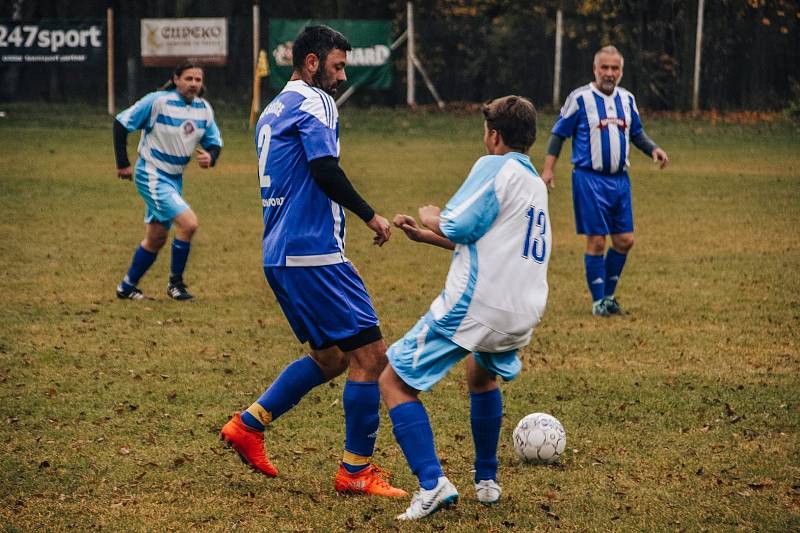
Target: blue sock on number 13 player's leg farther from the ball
<point x="413" y="432"/>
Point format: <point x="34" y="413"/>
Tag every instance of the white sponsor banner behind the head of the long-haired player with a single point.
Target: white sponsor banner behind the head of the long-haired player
<point x="167" y="42"/>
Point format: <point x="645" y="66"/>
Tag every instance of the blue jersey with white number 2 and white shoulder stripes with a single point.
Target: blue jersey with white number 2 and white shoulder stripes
<point x="302" y="225"/>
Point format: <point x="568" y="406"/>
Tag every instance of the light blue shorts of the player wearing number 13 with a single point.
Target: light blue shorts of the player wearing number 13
<point x="423" y="357"/>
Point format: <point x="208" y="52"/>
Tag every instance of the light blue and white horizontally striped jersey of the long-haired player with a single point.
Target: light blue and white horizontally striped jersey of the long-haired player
<point x="171" y="129"/>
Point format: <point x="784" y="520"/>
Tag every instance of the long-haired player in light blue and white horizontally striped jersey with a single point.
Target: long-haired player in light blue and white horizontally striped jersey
<point x="174" y="121"/>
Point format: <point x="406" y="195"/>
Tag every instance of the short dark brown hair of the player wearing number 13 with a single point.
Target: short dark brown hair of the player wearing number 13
<point x="514" y="117"/>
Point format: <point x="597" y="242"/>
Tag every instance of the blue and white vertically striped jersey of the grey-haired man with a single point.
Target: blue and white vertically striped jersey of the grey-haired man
<point x="601" y="127"/>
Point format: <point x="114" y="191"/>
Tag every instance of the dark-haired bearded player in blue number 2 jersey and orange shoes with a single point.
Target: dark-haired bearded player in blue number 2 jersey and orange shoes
<point x="303" y="195"/>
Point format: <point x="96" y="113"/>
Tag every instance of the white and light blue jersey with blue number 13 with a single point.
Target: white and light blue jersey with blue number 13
<point x="496" y="289"/>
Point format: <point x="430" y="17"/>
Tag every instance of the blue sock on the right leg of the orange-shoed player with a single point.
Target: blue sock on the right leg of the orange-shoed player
<point x="362" y="403"/>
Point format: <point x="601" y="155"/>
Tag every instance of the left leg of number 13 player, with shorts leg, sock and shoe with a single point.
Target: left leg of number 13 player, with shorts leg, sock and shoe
<point x="417" y="361"/>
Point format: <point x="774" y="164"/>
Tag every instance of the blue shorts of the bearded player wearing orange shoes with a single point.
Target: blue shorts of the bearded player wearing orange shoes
<point x="322" y="303"/>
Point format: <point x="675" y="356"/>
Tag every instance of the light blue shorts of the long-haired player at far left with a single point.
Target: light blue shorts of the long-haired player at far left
<point x="161" y="192"/>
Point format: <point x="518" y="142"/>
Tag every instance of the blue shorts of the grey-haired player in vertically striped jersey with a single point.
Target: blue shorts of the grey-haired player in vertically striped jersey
<point x="602" y="202"/>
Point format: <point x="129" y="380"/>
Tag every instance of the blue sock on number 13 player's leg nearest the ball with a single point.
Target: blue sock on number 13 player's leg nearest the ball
<point x="486" y="416"/>
